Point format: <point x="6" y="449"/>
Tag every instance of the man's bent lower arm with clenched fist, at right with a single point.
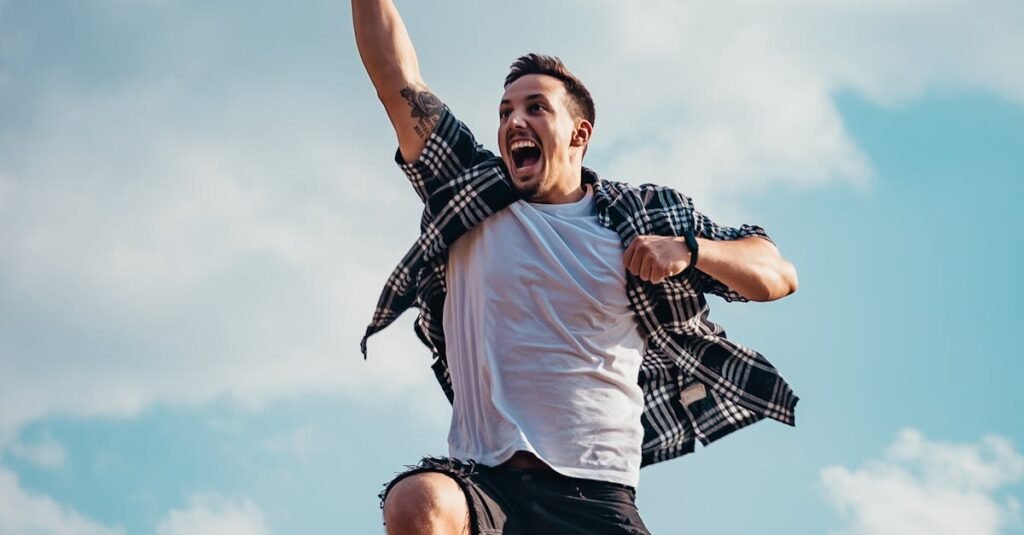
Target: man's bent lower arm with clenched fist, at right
<point x="751" y="267"/>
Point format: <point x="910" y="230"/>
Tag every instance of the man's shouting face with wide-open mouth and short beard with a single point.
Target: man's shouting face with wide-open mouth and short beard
<point x="535" y="135"/>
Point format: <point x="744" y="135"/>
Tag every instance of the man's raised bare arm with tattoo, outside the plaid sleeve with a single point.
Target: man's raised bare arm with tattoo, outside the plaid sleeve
<point x="391" y="61"/>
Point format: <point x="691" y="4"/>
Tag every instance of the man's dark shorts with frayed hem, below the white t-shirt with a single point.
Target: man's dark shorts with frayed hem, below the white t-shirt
<point x="537" y="502"/>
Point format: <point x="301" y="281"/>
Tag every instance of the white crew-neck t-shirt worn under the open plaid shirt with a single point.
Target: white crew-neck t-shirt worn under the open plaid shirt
<point x="543" y="349"/>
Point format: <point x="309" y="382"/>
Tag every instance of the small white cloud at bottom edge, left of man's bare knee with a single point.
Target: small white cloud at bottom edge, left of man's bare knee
<point x="212" y="515"/>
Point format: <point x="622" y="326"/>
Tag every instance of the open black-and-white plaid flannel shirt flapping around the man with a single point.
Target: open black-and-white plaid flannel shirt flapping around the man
<point x="728" y="387"/>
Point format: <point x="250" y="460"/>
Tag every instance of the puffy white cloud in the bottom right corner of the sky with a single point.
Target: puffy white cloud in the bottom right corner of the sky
<point x="923" y="487"/>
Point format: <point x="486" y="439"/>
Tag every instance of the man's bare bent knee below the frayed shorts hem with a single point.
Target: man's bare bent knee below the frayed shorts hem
<point x="423" y="502"/>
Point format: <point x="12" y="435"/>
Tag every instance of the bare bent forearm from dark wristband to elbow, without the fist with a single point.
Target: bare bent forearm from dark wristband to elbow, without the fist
<point x="752" y="267"/>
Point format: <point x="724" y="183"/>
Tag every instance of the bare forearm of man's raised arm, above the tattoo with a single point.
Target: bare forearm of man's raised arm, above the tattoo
<point x="385" y="46"/>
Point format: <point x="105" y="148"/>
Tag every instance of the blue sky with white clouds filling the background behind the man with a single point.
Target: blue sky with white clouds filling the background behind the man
<point x="198" y="208"/>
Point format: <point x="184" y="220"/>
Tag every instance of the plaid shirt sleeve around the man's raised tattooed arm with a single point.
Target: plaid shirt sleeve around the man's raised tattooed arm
<point x="451" y="150"/>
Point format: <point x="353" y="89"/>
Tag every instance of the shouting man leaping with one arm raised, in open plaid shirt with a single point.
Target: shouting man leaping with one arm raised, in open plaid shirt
<point x="567" y="313"/>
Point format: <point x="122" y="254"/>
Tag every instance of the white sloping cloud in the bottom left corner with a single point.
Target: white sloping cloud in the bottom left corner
<point x="23" y="513"/>
